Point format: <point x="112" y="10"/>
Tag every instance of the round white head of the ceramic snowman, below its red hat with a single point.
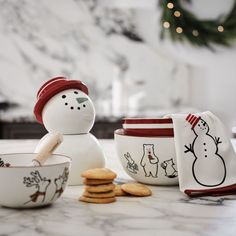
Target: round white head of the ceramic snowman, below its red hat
<point x="69" y="112"/>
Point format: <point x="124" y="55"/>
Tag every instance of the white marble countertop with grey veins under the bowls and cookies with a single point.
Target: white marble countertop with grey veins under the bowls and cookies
<point x="166" y="212"/>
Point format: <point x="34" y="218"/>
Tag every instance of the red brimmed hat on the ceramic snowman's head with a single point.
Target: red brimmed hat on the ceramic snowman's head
<point x="51" y="88"/>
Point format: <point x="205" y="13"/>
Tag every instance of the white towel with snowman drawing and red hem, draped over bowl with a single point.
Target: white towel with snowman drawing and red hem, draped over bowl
<point x="205" y="157"/>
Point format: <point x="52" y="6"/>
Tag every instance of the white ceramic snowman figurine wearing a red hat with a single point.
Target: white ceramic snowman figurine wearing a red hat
<point x="63" y="106"/>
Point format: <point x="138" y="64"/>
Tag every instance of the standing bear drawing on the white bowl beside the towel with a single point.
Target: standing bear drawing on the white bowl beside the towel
<point x="149" y="161"/>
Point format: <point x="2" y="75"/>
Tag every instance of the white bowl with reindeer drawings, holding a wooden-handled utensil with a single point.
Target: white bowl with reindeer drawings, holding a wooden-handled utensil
<point x="25" y="186"/>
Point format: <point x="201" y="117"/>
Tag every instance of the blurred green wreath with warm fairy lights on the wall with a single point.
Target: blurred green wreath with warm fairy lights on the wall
<point x="180" y="25"/>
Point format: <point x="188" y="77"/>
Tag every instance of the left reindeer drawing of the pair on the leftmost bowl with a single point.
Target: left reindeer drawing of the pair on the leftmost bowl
<point x="41" y="185"/>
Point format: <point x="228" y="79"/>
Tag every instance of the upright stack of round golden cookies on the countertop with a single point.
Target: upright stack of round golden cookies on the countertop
<point x="99" y="187"/>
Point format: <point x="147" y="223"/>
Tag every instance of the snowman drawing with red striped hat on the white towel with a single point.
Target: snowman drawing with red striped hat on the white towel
<point x="208" y="168"/>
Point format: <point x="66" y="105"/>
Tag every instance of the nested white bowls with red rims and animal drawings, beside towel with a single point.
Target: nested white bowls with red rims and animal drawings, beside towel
<point x="145" y="147"/>
